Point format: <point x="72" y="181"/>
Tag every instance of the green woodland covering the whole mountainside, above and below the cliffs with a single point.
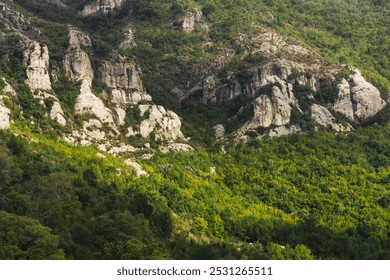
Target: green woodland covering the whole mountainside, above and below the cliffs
<point x="314" y="195"/>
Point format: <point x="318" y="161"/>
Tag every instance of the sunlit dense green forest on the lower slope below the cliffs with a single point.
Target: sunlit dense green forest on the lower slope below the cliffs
<point x="318" y="195"/>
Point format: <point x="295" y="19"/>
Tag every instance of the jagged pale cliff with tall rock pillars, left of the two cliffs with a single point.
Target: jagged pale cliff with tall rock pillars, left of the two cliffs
<point x="105" y="114"/>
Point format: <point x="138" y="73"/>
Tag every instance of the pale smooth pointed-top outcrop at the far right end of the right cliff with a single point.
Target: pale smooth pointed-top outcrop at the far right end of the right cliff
<point x="357" y="99"/>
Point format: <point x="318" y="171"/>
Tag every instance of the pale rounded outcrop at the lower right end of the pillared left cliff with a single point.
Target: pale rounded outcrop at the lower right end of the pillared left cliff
<point x="163" y="124"/>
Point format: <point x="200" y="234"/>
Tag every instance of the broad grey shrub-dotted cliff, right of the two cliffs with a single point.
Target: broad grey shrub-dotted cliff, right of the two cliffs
<point x="286" y="81"/>
